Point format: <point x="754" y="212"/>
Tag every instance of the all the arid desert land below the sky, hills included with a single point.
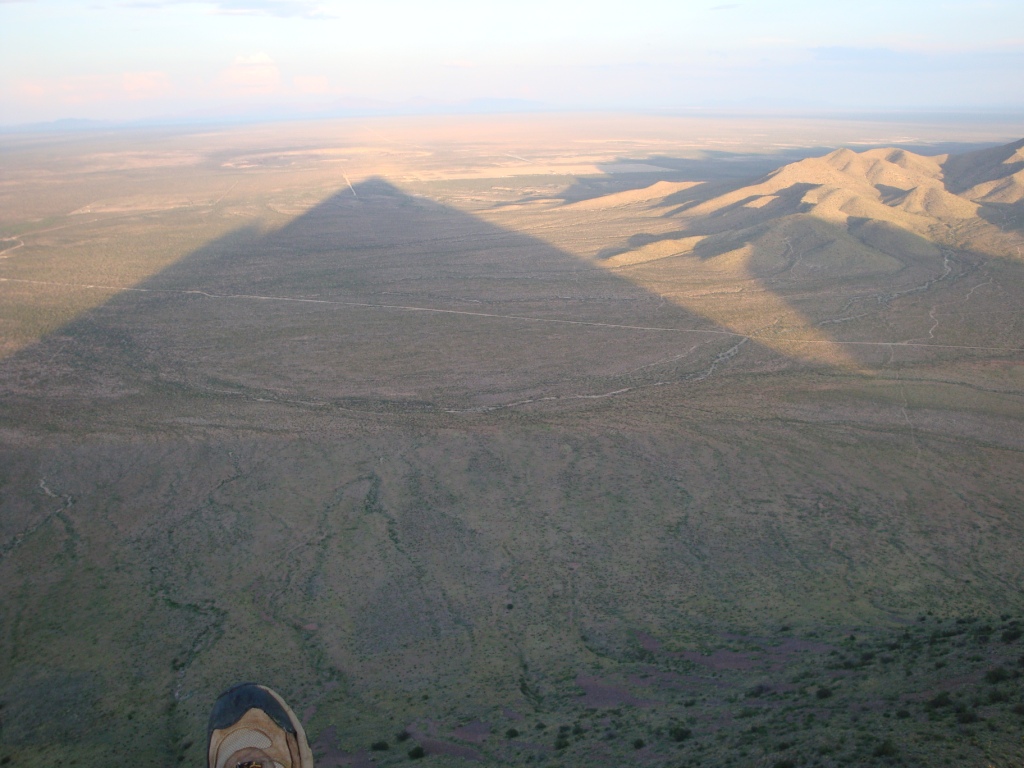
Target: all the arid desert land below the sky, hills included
<point x="548" y="441"/>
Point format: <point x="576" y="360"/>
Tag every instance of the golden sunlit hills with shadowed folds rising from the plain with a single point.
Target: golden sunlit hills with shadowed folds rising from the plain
<point x="849" y="209"/>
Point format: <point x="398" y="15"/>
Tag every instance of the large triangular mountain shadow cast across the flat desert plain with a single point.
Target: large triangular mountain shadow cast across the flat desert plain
<point x="333" y="309"/>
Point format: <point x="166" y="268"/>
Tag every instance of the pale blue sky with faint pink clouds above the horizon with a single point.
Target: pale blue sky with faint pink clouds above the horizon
<point x="153" y="59"/>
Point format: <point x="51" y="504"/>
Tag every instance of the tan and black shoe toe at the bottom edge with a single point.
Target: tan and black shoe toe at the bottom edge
<point x="251" y="727"/>
